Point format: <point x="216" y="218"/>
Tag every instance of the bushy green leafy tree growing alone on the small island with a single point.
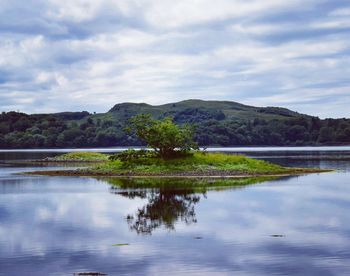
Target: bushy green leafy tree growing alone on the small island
<point x="166" y="138"/>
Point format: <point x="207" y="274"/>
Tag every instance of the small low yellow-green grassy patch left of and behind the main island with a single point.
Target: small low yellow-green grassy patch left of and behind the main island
<point x="81" y="157"/>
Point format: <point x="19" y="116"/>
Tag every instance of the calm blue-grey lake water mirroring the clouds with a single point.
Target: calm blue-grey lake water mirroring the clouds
<point x="290" y="226"/>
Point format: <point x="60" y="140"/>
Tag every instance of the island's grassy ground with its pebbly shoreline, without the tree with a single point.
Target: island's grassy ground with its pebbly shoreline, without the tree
<point x="196" y="164"/>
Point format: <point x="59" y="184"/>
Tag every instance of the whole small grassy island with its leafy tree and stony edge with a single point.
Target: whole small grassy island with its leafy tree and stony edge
<point x="172" y="153"/>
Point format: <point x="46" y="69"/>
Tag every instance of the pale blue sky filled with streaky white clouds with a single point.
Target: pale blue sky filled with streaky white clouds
<point x="89" y="55"/>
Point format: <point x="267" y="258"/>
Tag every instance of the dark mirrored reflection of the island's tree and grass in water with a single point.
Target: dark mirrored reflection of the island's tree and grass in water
<point x="169" y="200"/>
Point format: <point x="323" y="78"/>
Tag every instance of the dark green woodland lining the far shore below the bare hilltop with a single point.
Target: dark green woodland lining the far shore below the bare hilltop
<point x="82" y="129"/>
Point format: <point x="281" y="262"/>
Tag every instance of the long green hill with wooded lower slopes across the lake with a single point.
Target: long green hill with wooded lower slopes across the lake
<point x="221" y="123"/>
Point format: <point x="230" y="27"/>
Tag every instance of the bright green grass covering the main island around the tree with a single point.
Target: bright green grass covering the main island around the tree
<point x="198" y="163"/>
